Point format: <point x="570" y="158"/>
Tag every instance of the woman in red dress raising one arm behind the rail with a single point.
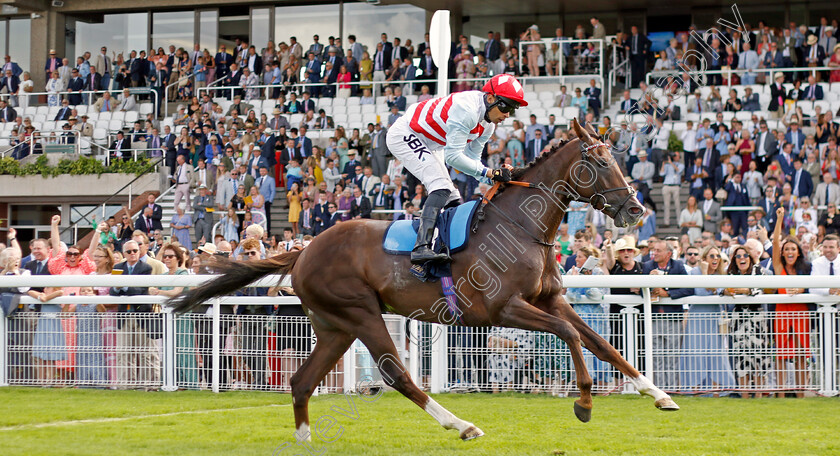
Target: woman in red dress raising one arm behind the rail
<point x="792" y="325"/>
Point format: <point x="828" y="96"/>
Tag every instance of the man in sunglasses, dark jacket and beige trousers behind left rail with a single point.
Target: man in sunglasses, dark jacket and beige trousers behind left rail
<point x="136" y="351"/>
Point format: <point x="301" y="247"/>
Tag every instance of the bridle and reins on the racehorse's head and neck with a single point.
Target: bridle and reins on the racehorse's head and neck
<point x="598" y="200"/>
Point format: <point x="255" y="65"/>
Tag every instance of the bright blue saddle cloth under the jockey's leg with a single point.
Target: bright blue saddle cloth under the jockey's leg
<point x="453" y="226"/>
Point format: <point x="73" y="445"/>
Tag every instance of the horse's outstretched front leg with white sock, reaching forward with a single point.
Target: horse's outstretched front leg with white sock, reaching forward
<point x="558" y="307"/>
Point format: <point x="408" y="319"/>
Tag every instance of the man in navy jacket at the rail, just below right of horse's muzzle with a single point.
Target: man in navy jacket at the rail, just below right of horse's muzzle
<point x="668" y="330"/>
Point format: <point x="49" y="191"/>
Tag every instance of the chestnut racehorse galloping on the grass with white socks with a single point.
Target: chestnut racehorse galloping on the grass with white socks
<point x="507" y="276"/>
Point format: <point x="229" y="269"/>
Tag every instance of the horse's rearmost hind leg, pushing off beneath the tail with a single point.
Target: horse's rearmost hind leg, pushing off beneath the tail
<point x="332" y="343"/>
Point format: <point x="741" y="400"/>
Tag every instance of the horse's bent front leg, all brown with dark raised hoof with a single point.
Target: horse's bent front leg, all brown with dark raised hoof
<point x="517" y="313"/>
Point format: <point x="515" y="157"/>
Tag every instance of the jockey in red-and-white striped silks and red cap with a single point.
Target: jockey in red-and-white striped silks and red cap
<point x="460" y="124"/>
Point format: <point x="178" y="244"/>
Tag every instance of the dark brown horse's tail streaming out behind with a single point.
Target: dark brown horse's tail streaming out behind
<point x="235" y="276"/>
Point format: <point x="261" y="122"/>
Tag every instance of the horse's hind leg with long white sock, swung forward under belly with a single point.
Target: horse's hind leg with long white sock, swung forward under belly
<point x="375" y="336"/>
